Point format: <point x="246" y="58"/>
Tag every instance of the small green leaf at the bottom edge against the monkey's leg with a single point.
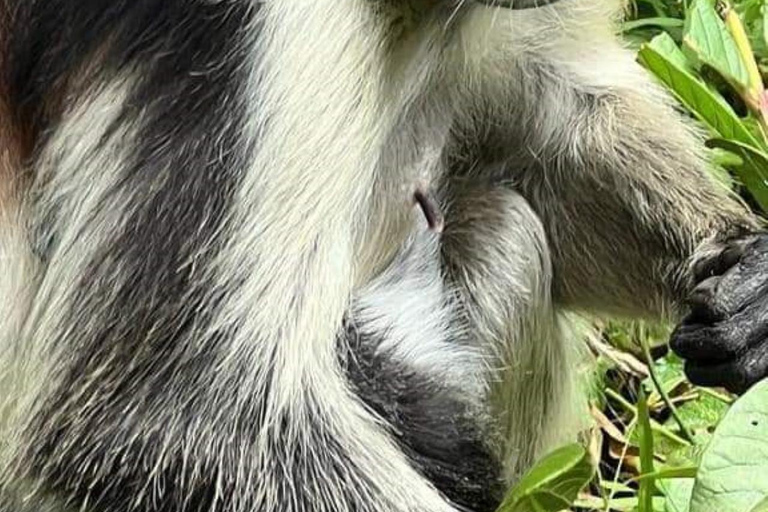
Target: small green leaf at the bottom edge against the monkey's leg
<point x="553" y="483"/>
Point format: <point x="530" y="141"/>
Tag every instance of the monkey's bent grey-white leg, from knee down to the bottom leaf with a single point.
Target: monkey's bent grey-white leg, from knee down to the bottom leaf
<point x="496" y="253"/>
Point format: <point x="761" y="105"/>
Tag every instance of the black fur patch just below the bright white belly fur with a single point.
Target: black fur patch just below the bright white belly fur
<point x="438" y="430"/>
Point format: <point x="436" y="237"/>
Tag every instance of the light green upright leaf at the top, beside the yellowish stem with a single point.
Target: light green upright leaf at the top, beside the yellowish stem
<point x="708" y="38"/>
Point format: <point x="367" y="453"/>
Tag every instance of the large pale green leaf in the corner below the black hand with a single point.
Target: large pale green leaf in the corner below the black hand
<point x="733" y="476"/>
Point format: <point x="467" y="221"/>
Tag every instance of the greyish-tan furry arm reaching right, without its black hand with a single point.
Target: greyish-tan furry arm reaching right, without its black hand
<point x="616" y="176"/>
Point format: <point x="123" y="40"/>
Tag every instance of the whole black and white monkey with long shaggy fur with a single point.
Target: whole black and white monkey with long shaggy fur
<point x="218" y="294"/>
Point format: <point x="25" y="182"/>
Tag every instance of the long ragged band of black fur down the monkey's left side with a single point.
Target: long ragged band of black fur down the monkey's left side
<point x="98" y="444"/>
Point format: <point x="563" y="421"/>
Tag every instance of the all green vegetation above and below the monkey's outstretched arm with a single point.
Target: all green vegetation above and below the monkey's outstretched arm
<point x="660" y="443"/>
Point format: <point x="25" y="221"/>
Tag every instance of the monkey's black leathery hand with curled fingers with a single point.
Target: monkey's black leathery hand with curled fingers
<point x="724" y="339"/>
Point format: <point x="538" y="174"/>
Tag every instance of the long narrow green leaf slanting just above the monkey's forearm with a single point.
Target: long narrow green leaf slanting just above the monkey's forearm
<point x="668" y="64"/>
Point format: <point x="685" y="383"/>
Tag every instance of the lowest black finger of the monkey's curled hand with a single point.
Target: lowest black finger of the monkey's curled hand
<point x="737" y="375"/>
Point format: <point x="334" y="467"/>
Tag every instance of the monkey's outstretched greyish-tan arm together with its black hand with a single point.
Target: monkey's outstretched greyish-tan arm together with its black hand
<point x="632" y="216"/>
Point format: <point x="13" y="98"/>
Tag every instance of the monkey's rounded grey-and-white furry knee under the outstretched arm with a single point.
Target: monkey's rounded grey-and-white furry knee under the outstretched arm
<point x="495" y="250"/>
